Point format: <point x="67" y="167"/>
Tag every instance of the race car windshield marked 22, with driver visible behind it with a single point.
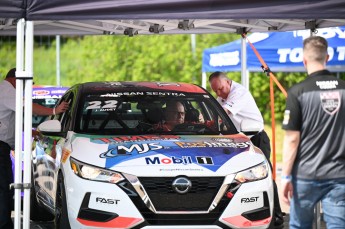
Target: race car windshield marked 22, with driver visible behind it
<point x="190" y="114"/>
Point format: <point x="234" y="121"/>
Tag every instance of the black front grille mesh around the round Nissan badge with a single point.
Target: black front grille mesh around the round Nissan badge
<point x="164" y="198"/>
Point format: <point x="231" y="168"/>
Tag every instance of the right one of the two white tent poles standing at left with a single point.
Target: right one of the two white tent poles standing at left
<point x="28" y="119"/>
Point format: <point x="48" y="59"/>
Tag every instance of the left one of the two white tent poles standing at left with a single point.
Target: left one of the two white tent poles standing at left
<point x="19" y="121"/>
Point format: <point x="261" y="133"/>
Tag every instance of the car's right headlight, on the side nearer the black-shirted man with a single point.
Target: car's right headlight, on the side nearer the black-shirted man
<point x="258" y="172"/>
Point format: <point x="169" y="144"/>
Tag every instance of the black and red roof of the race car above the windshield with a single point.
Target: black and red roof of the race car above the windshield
<point x="99" y="87"/>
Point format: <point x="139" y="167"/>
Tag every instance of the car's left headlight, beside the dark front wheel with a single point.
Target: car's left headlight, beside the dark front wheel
<point x="94" y="173"/>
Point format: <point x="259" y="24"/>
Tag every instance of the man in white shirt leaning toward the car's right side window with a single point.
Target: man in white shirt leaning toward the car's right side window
<point x="239" y="104"/>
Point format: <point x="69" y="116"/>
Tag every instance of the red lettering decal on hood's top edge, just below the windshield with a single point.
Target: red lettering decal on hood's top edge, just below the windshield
<point x="123" y="139"/>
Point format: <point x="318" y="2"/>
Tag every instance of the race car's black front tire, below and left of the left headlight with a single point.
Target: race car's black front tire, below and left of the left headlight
<point x="61" y="217"/>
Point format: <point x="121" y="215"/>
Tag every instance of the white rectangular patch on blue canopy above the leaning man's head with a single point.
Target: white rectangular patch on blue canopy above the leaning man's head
<point x="225" y="58"/>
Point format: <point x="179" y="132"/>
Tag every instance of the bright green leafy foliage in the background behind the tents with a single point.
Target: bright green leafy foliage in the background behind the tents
<point x="148" y="58"/>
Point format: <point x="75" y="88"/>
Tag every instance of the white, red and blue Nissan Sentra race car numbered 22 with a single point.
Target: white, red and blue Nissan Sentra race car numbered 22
<point x="106" y="163"/>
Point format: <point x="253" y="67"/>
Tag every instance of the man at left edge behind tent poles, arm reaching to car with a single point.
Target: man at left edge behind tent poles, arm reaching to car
<point x="7" y="129"/>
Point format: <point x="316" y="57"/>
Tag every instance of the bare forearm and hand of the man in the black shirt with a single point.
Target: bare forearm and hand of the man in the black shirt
<point x="290" y="146"/>
